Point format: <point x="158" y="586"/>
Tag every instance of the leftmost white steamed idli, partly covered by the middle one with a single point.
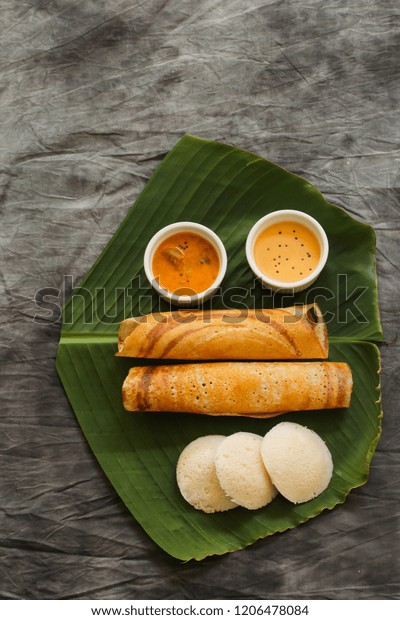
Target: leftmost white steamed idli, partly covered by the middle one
<point x="196" y="476"/>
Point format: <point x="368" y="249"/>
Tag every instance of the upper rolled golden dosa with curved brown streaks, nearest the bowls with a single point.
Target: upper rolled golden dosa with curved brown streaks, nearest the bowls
<point x="297" y="332"/>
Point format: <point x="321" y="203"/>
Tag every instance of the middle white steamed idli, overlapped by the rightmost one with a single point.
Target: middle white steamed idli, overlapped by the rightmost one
<point x="241" y="471"/>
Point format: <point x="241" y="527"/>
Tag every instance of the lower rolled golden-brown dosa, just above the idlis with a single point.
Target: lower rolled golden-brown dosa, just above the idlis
<point x="254" y="389"/>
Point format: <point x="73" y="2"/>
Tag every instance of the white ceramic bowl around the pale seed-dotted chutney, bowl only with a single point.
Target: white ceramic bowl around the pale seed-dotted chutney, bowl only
<point x="287" y="215"/>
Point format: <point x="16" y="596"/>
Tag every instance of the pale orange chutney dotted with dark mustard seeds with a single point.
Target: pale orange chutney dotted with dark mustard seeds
<point x="287" y="251"/>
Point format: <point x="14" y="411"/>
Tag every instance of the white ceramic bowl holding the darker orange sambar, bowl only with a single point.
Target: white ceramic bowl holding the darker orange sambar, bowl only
<point x="167" y="231"/>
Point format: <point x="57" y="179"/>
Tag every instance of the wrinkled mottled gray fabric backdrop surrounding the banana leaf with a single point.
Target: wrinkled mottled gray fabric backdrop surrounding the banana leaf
<point x="93" y="94"/>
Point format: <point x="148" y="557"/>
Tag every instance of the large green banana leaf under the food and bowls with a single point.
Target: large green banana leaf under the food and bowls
<point x="226" y="189"/>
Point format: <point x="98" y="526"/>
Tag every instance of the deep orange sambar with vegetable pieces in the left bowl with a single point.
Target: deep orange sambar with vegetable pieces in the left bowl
<point x="185" y="263"/>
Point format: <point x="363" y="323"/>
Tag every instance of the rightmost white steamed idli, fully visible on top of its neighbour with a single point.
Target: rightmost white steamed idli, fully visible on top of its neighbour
<point x="298" y="461"/>
